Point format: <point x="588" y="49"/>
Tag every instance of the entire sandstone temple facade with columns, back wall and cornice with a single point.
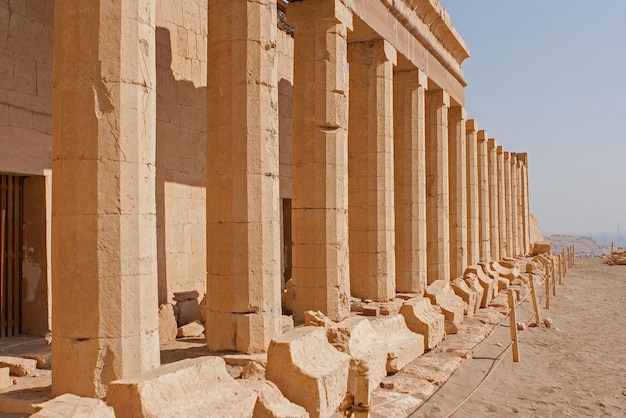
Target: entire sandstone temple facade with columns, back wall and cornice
<point x="278" y="157"/>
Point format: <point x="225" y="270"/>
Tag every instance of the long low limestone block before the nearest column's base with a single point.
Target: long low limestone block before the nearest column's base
<point x="197" y="387"/>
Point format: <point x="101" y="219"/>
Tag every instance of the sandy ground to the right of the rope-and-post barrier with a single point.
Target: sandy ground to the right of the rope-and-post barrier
<point x="576" y="368"/>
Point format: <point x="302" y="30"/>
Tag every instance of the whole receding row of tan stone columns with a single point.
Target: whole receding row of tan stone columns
<point x="393" y="187"/>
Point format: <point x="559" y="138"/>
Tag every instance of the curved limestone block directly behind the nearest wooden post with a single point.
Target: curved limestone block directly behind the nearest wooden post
<point x="356" y="337"/>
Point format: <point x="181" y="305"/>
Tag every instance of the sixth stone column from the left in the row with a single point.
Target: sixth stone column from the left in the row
<point x="437" y="188"/>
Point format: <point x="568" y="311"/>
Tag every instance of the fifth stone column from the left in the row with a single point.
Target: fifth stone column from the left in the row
<point x="410" y="180"/>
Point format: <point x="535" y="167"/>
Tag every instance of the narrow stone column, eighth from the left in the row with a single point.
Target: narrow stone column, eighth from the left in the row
<point x="473" y="249"/>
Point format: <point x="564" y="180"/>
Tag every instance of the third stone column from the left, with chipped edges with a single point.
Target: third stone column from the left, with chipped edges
<point x="321" y="275"/>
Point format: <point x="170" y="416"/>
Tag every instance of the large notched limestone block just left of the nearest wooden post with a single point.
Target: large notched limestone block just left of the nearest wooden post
<point x="308" y="370"/>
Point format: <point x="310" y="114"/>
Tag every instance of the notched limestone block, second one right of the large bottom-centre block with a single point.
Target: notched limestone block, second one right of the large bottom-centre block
<point x="403" y="345"/>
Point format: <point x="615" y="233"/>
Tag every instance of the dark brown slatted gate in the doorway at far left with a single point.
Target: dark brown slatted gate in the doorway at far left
<point x="11" y="204"/>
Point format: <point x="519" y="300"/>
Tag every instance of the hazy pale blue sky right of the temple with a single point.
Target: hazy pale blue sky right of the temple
<point x="548" y="77"/>
